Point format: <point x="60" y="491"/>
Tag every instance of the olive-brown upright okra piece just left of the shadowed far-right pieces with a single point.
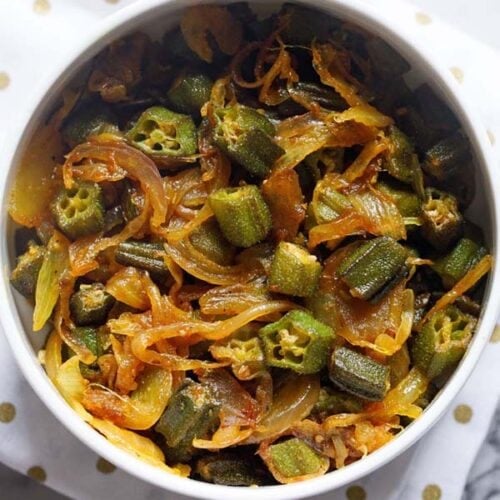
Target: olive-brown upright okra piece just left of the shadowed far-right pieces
<point x="401" y="161"/>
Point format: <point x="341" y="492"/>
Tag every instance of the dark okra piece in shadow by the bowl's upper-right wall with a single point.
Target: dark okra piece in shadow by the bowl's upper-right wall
<point x="444" y="158"/>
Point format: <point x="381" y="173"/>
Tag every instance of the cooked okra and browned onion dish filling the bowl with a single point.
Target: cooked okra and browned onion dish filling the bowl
<point x="247" y="244"/>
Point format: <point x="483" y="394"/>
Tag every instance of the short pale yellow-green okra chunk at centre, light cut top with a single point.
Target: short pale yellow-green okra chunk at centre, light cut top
<point x="294" y="271"/>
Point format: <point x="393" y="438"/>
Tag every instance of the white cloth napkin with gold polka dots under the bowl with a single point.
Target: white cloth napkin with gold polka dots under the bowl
<point x="34" y="35"/>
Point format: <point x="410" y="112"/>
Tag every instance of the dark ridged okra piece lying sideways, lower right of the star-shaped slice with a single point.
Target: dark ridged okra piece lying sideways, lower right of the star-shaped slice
<point x="359" y="375"/>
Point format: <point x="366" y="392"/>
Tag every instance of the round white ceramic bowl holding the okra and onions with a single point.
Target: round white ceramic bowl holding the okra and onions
<point x="16" y="314"/>
